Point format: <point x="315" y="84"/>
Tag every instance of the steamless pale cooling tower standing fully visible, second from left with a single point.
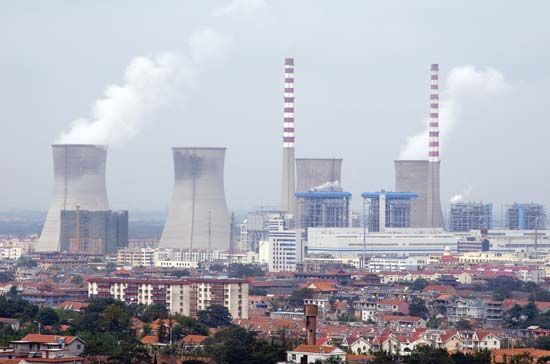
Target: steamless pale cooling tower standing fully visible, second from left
<point x="198" y="216"/>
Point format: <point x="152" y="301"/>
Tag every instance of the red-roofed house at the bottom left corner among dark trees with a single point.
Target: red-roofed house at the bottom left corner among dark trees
<point x="33" y="343"/>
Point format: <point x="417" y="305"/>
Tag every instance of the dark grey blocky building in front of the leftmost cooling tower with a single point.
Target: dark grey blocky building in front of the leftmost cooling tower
<point x="93" y="232"/>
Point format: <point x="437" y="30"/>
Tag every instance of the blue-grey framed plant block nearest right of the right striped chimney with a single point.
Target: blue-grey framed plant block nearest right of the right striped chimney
<point x="466" y="216"/>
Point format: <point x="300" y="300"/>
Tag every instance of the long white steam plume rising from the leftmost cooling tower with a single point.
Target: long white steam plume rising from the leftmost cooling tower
<point x="150" y="83"/>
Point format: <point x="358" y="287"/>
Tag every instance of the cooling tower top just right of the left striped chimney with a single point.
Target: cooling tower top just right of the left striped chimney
<point x="318" y="174"/>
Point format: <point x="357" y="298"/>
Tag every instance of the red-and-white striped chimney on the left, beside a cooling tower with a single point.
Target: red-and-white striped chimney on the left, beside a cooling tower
<point x="289" y="180"/>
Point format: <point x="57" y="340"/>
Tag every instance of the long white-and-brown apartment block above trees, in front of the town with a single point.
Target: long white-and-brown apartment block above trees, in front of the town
<point x="183" y="296"/>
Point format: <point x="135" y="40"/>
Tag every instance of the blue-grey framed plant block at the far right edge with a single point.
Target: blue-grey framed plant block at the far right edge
<point x="525" y="216"/>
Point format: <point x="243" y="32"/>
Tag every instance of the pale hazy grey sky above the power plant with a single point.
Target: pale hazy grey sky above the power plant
<point x="362" y="85"/>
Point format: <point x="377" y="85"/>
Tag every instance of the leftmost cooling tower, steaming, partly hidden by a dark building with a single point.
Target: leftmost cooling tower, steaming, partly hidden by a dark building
<point x="79" y="178"/>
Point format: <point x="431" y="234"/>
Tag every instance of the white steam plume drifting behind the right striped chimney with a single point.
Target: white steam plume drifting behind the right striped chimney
<point x="462" y="83"/>
